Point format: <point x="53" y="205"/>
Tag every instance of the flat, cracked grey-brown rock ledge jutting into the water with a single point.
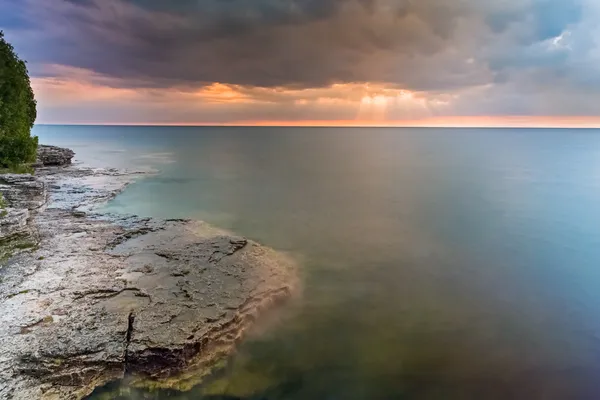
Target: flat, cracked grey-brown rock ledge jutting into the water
<point x="88" y="298"/>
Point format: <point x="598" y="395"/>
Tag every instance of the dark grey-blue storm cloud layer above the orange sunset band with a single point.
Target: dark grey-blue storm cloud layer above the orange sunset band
<point x="516" y="56"/>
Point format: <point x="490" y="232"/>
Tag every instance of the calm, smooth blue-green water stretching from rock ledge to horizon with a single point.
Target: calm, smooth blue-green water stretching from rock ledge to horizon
<point x="437" y="263"/>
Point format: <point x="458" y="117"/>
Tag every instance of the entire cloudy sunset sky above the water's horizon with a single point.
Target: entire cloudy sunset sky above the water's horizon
<point x="311" y="62"/>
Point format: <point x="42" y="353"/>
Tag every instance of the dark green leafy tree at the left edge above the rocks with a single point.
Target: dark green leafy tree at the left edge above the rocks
<point x="17" y="109"/>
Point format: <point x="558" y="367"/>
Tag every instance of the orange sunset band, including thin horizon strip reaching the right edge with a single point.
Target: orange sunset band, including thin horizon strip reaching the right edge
<point x="73" y="95"/>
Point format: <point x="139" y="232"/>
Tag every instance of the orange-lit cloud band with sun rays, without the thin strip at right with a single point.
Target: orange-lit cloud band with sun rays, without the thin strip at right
<point x="77" y="95"/>
